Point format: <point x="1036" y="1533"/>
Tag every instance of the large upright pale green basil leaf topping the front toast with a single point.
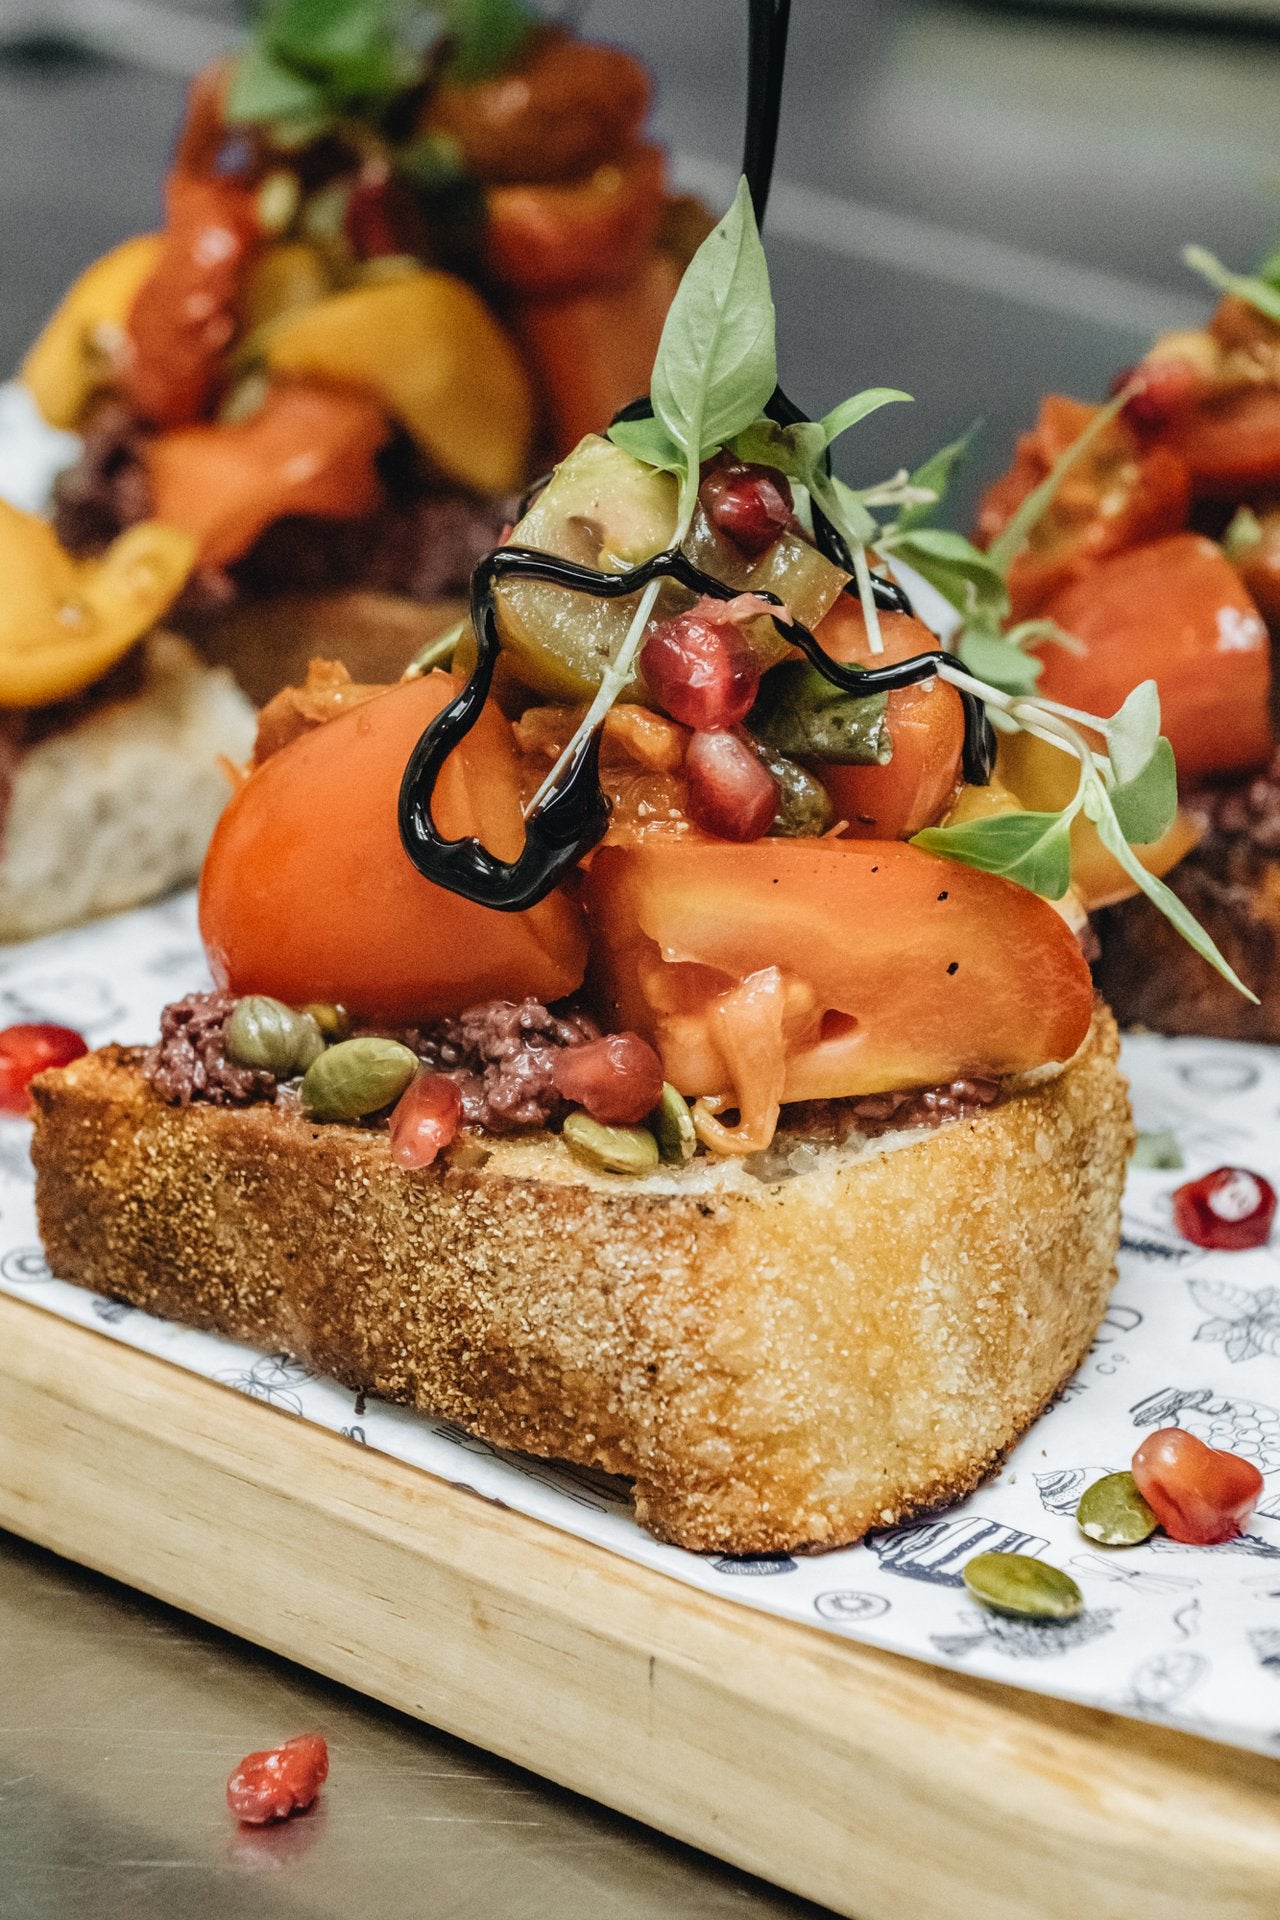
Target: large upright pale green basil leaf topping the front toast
<point x="717" y="362"/>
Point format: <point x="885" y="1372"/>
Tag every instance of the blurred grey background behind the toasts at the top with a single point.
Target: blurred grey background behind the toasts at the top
<point x="974" y="203"/>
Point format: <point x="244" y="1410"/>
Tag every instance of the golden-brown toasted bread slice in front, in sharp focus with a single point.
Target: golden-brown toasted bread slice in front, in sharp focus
<point x="774" y="1364"/>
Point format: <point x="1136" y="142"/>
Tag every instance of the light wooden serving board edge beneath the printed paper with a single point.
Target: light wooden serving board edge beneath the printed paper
<point x="874" y="1785"/>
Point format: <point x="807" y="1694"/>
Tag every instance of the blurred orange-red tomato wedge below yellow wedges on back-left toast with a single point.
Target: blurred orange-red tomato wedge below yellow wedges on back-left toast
<point x="308" y="450"/>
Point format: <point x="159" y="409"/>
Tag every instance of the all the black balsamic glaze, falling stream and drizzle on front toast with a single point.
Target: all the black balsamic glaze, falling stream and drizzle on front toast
<point x="575" y="815"/>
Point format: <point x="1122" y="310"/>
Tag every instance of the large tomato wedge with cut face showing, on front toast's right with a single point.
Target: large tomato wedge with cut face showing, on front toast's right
<point x="891" y="969"/>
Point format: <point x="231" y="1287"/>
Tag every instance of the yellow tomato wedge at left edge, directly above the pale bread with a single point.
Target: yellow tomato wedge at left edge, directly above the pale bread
<point x="64" y="623"/>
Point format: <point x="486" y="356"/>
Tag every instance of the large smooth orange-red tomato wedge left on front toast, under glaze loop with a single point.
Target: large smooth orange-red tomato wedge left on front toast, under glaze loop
<point x="308" y="894"/>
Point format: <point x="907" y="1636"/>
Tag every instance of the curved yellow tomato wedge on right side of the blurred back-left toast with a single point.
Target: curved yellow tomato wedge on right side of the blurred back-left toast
<point x="435" y="356"/>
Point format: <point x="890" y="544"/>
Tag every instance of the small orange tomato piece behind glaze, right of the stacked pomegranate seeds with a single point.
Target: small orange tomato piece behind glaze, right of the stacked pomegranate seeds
<point x="926" y="725"/>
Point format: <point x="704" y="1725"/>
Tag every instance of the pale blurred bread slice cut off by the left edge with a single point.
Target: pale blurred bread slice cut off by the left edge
<point x="120" y="805"/>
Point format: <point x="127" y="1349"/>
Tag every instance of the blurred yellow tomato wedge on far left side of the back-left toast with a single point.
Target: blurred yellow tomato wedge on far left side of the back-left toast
<point x="74" y="356"/>
